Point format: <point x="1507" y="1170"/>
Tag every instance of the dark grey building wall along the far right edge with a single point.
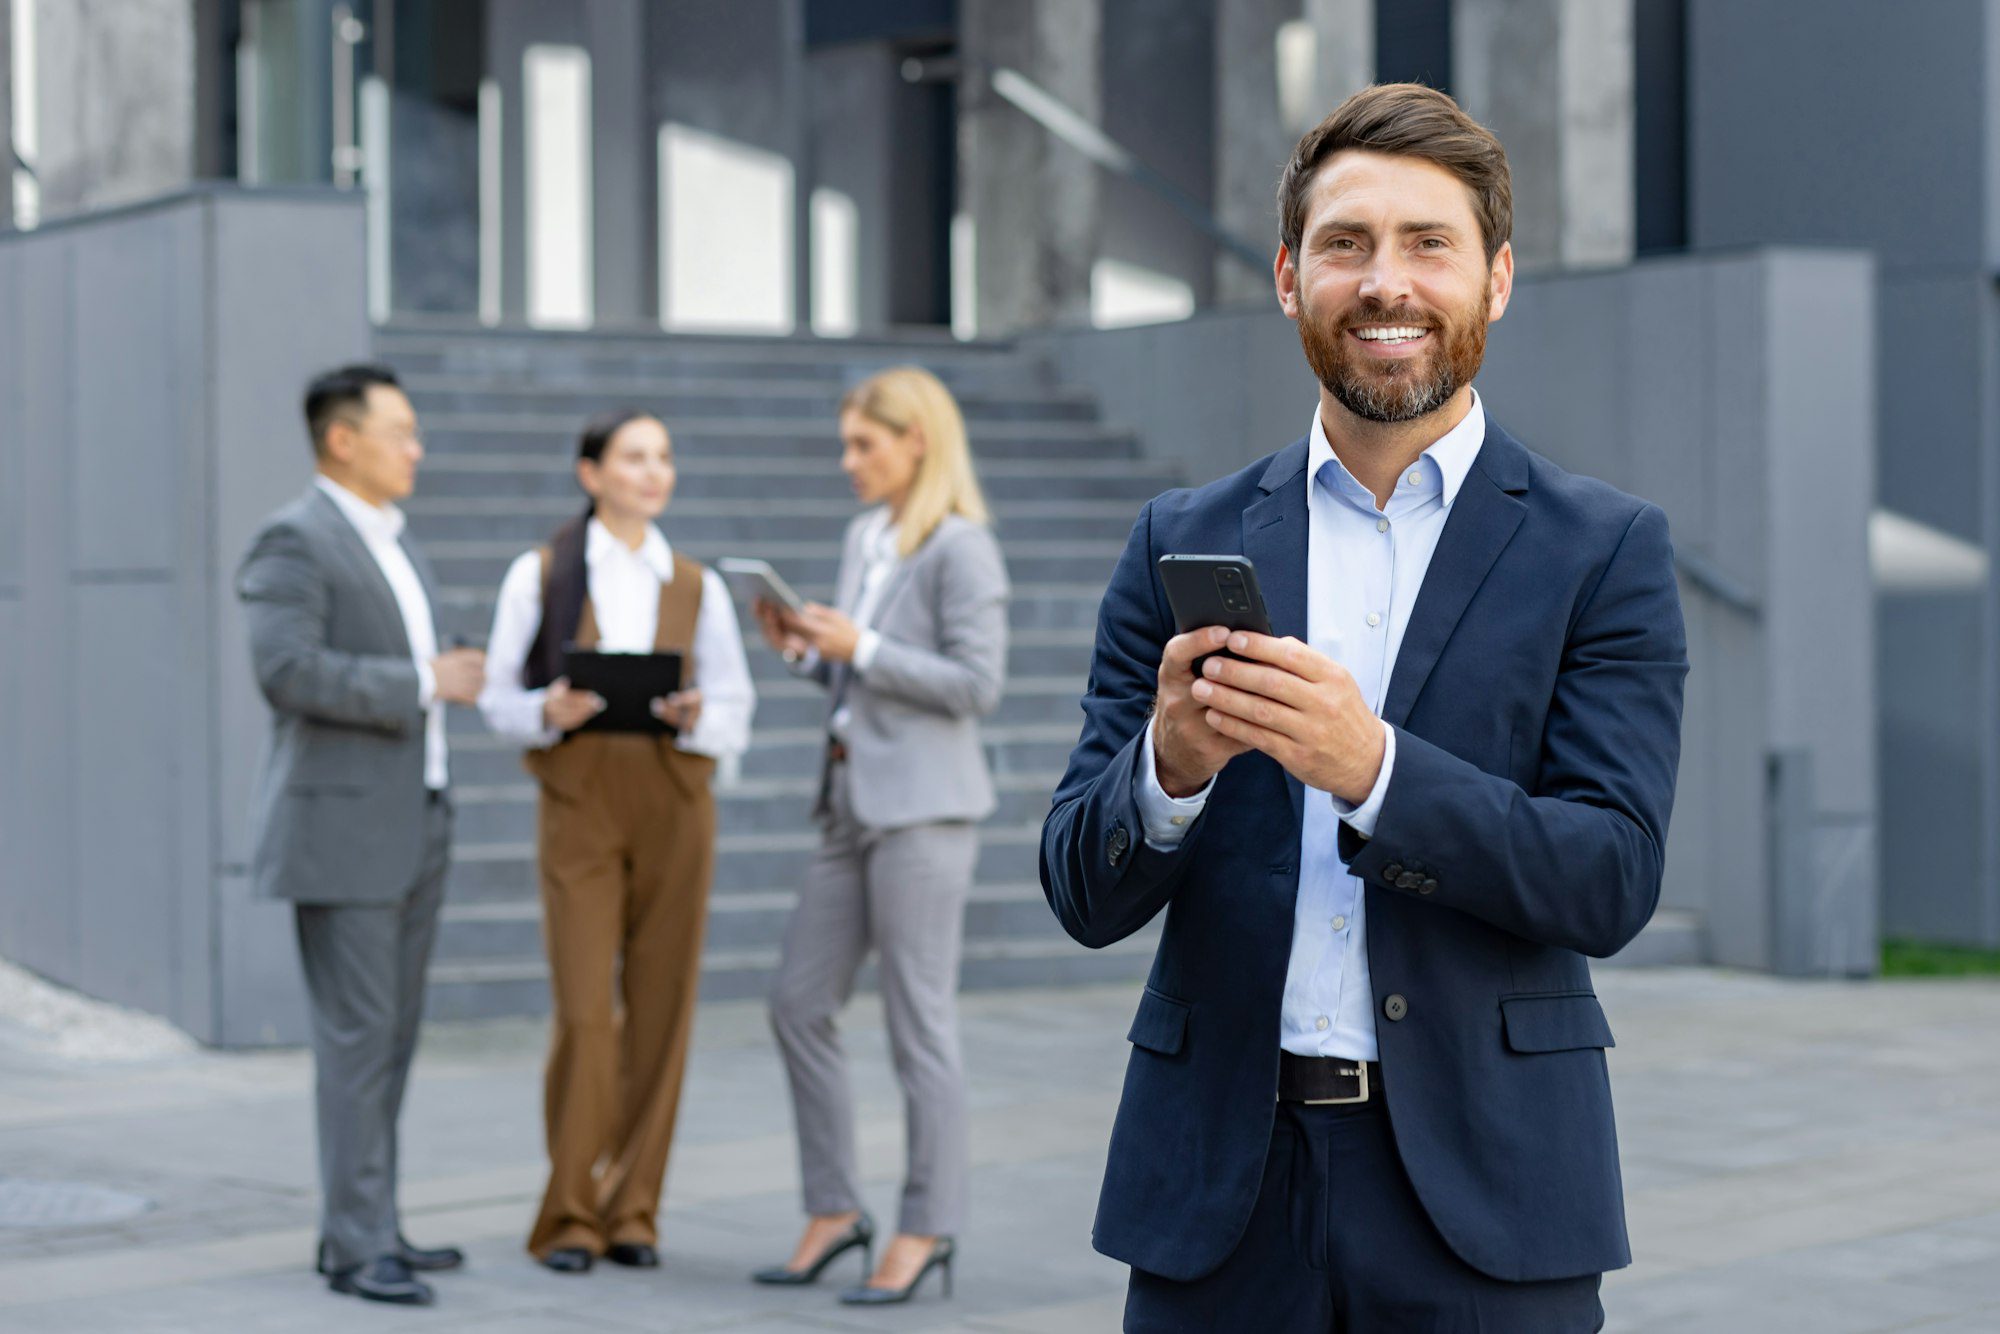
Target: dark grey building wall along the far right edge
<point x="1881" y="133"/>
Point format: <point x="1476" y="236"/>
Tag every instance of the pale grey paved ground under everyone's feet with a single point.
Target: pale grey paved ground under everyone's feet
<point x="1813" y="1157"/>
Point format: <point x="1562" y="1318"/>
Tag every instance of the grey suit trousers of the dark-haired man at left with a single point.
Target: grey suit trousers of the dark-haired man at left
<point x="365" y="983"/>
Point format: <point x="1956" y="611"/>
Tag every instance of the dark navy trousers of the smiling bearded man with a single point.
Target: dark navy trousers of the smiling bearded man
<point x="1341" y="1245"/>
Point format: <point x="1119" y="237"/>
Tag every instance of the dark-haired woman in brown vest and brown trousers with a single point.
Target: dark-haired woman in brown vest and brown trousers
<point x="627" y="833"/>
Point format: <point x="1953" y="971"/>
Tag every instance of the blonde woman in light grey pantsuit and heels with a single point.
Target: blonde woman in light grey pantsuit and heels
<point x="913" y="657"/>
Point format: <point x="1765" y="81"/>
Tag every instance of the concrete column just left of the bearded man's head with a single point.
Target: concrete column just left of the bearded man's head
<point x="1281" y="69"/>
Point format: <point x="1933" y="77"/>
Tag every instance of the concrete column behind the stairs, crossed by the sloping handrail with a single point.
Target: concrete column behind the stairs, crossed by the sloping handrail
<point x="1031" y="203"/>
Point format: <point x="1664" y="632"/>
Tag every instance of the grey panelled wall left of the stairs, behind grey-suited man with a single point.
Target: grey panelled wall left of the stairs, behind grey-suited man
<point x="151" y="365"/>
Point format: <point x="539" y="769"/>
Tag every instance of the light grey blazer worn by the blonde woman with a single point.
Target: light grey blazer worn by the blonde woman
<point x="915" y="717"/>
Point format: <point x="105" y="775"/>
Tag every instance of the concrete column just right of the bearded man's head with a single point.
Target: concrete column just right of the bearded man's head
<point x="1555" y="81"/>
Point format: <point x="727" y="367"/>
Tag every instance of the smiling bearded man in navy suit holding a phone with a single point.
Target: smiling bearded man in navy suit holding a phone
<point x="1367" y="1085"/>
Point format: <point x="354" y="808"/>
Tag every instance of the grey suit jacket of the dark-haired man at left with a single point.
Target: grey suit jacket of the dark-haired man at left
<point x="341" y="807"/>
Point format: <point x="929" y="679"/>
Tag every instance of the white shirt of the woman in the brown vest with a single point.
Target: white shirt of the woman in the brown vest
<point x="625" y="593"/>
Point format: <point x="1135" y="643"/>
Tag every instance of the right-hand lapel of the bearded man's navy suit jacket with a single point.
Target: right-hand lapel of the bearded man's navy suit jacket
<point x="1481" y="525"/>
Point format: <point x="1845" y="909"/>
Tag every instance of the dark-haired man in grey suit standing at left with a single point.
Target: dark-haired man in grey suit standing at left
<point x="355" y="819"/>
